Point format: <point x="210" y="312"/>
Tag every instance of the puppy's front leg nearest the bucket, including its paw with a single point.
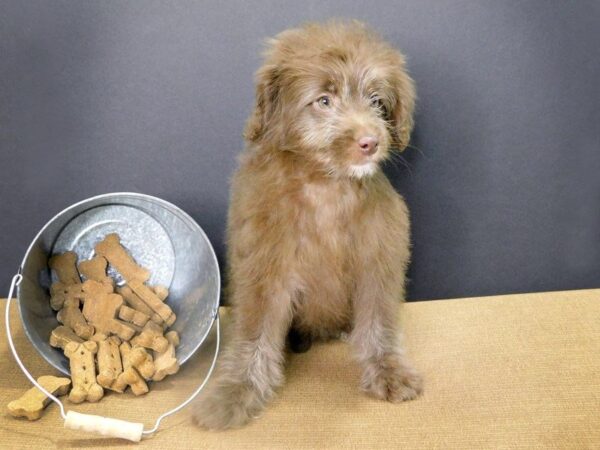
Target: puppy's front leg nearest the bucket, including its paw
<point x="252" y="366"/>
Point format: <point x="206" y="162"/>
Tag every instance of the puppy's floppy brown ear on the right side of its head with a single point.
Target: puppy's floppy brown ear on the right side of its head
<point x="401" y="115"/>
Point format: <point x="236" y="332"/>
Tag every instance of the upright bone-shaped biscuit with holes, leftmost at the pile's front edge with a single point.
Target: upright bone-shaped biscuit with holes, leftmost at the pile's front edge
<point x="83" y="372"/>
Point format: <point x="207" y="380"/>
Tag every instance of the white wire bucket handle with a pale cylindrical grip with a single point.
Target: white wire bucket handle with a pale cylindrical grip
<point x="105" y="426"/>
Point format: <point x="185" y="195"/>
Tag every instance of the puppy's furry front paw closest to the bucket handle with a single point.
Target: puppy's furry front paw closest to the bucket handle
<point x="224" y="407"/>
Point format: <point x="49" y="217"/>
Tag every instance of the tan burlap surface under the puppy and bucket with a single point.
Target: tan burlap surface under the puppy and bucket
<point x="519" y="371"/>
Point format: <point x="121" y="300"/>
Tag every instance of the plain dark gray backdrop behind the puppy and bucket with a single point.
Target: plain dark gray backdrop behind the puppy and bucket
<point x="152" y="96"/>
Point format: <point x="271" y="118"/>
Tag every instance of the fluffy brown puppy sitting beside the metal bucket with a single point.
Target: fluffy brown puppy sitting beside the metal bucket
<point x="318" y="240"/>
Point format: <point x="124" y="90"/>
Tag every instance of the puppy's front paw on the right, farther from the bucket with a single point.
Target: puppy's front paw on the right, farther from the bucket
<point x="393" y="380"/>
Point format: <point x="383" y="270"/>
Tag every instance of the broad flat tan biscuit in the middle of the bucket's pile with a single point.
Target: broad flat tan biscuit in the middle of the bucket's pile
<point x="101" y="308"/>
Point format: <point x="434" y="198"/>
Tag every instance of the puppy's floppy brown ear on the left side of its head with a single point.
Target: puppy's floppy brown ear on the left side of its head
<point x="267" y="100"/>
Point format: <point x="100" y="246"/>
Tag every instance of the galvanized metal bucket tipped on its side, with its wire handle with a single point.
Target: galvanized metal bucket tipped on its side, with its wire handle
<point x="160" y="237"/>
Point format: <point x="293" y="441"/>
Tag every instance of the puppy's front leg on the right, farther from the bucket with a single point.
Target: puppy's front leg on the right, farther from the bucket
<point x="376" y="336"/>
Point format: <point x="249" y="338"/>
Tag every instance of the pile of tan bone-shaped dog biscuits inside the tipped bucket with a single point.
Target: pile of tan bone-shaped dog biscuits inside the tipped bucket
<point x="114" y="337"/>
